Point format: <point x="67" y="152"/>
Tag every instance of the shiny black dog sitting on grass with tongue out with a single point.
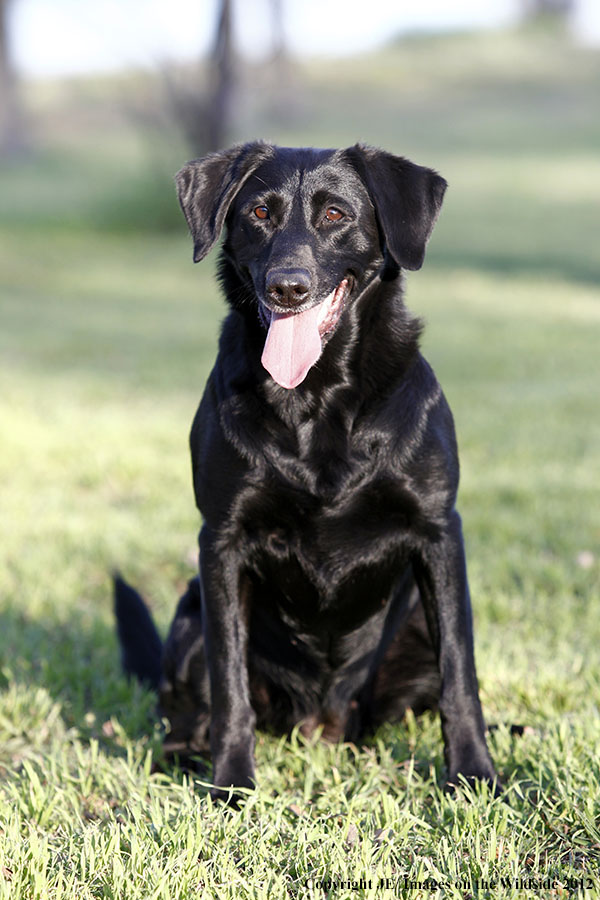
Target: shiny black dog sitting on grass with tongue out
<point x="332" y="590"/>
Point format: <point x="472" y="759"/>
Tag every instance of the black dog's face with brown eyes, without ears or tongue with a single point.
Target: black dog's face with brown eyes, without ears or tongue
<point x="303" y="228"/>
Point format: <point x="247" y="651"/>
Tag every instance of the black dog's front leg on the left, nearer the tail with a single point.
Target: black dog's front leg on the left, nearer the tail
<point x="225" y="625"/>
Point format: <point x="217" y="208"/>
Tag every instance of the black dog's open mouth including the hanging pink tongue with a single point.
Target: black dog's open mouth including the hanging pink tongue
<point x="295" y="340"/>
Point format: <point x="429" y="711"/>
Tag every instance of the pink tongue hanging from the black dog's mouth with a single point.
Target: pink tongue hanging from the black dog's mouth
<point x="292" y="346"/>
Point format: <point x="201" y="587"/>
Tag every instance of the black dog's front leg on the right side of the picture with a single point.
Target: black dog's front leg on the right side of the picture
<point x="441" y="574"/>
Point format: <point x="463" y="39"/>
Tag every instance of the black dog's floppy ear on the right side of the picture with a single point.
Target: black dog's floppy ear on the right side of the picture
<point x="407" y="200"/>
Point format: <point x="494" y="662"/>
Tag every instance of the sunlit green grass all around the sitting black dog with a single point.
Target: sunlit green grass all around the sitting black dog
<point x="108" y="335"/>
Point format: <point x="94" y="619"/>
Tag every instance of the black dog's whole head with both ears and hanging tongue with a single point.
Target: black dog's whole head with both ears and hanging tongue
<point x="306" y="231"/>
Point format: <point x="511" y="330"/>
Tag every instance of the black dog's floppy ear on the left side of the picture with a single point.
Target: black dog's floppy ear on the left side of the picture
<point x="207" y="186"/>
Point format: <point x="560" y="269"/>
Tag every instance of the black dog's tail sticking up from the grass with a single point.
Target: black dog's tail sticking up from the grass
<point x="141" y="646"/>
